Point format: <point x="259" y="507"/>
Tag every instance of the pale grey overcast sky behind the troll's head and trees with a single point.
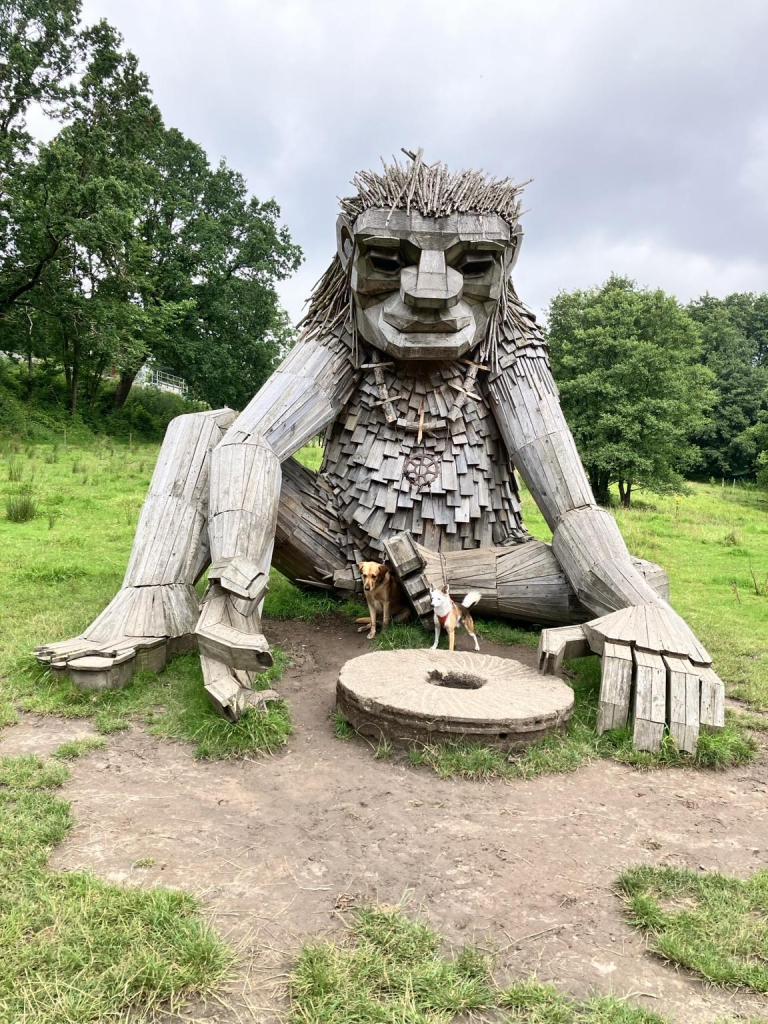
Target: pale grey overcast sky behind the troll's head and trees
<point x="644" y="124"/>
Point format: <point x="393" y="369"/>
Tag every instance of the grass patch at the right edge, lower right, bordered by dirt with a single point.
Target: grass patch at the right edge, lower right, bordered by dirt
<point x="712" y="924"/>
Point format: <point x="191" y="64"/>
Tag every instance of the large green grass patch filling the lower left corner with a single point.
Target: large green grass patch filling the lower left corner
<point x="76" y="949"/>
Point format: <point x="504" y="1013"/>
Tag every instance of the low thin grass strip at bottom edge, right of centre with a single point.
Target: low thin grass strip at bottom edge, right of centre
<point x="530" y="1003"/>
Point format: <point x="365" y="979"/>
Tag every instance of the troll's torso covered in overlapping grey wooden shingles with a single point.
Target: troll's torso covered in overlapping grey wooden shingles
<point x="453" y="490"/>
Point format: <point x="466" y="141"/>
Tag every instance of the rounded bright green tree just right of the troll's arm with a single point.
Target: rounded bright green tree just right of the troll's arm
<point x="631" y="387"/>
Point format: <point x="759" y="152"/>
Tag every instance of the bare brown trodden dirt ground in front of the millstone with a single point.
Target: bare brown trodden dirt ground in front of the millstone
<point x="277" y="846"/>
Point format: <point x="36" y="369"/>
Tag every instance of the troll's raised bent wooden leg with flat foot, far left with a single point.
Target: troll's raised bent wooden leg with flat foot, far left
<point x="154" y="614"/>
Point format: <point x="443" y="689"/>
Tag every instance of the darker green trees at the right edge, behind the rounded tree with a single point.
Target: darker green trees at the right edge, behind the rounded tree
<point x="735" y="347"/>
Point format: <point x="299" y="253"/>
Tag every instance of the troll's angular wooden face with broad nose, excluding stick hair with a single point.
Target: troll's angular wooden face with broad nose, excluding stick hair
<point x="425" y="288"/>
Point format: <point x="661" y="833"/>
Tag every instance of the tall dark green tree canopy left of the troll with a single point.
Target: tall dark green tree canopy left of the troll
<point x="119" y="242"/>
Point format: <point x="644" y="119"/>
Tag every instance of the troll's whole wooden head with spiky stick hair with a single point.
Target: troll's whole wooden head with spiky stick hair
<point x="424" y="262"/>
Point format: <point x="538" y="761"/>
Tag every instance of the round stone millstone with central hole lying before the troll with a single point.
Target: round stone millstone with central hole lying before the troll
<point x="433" y="696"/>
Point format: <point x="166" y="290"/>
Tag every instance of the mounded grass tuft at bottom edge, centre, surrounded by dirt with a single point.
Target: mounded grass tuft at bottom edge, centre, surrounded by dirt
<point x="392" y="969"/>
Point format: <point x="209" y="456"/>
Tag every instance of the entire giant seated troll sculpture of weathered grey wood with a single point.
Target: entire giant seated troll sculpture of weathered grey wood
<point x="432" y="381"/>
